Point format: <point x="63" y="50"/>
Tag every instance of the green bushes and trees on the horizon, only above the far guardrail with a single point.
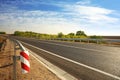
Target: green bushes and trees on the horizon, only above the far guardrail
<point x="30" y="34"/>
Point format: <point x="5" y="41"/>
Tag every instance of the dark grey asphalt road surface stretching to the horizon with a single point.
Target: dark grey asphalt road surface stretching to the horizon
<point x="101" y="62"/>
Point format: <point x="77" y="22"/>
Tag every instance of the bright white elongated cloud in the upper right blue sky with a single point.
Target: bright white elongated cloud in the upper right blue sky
<point x="91" y="13"/>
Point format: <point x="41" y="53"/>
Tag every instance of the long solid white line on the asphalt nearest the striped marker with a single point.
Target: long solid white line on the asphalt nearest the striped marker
<point x="86" y="66"/>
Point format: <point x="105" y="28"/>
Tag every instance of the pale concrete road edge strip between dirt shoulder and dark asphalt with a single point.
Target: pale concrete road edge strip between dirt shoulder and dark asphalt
<point x="63" y="75"/>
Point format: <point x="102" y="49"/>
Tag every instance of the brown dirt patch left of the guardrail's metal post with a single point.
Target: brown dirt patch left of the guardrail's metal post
<point x="6" y="62"/>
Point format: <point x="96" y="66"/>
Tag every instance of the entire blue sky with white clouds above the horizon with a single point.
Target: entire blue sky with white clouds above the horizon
<point x="94" y="17"/>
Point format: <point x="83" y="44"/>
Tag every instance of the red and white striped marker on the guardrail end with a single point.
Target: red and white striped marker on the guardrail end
<point x="24" y="58"/>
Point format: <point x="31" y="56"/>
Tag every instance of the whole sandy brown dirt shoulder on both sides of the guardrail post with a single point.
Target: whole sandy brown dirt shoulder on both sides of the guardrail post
<point x="37" y="70"/>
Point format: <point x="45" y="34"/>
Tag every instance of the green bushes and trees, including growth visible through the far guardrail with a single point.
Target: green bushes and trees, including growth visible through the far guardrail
<point x="80" y="36"/>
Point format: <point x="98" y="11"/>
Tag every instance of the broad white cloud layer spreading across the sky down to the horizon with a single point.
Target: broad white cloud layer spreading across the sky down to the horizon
<point x="78" y="16"/>
